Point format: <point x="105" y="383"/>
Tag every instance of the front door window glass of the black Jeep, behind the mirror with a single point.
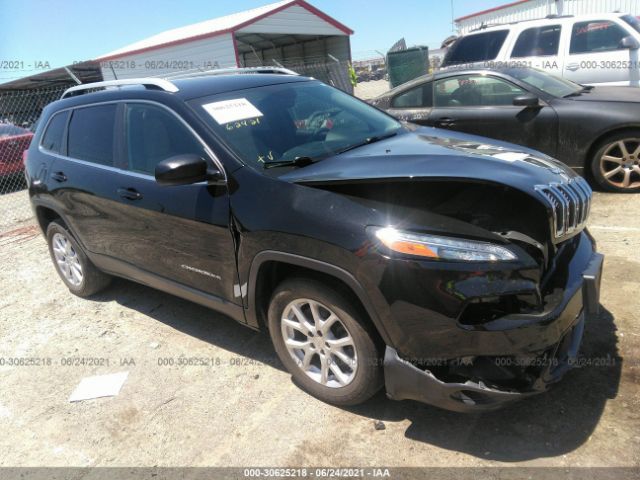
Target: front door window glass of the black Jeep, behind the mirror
<point x="154" y="134"/>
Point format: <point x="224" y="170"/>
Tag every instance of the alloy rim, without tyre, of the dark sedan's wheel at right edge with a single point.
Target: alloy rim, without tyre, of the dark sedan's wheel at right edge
<point x="620" y="163"/>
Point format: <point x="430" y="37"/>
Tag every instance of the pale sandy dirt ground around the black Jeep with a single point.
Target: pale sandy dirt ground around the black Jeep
<point x="244" y="409"/>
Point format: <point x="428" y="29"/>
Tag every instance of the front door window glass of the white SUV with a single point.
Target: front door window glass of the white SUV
<point x="596" y="36"/>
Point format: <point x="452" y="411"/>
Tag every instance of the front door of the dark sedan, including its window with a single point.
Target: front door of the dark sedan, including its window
<point x="483" y="105"/>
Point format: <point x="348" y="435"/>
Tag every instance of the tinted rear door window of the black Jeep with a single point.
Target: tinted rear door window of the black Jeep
<point x="91" y="134"/>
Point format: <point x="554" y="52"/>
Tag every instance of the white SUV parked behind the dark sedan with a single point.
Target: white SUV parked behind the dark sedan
<point x="594" y="49"/>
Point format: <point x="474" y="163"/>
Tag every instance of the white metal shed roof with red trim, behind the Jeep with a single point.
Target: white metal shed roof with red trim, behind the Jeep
<point x="216" y="26"/>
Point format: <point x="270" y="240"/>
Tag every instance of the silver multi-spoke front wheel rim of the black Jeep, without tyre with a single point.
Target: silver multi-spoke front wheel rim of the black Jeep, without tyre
<point x="319" y="343"/>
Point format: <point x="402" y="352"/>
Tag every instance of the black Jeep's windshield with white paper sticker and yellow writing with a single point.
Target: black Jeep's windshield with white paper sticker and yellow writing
<point x="285" y="122"/>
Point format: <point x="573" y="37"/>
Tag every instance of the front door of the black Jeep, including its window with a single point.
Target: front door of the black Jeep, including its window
<point x="181" y="232"/>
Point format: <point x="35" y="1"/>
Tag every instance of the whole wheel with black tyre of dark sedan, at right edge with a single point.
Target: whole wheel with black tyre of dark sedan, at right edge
<point x="616" y="163"/>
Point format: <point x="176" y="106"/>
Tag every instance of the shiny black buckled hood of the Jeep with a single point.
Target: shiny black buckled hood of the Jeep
<point x="431" y="153"/>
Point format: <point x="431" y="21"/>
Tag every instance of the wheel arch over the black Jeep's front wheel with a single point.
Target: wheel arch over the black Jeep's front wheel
<point x="269" y="267"/>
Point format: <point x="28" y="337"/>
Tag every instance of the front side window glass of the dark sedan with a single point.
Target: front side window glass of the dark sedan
<point x="474" y="90"/>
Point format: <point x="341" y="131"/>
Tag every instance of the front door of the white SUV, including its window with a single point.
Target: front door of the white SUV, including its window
<point x="595" y="54"/>
